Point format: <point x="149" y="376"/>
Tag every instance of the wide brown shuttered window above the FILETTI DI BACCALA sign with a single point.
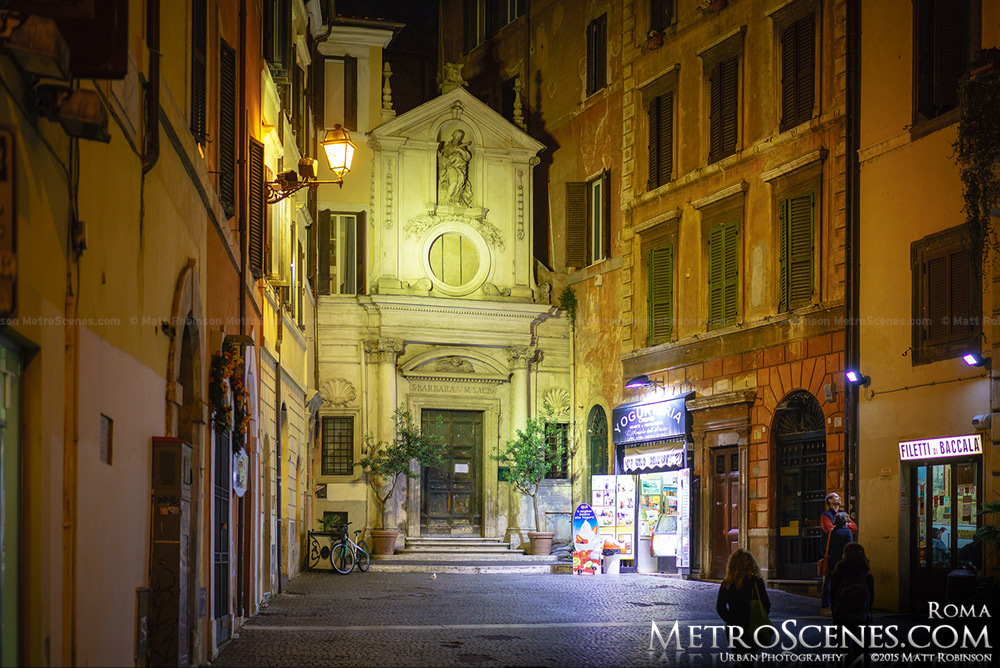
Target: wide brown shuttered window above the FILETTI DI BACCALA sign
<point x="947" y="306"/>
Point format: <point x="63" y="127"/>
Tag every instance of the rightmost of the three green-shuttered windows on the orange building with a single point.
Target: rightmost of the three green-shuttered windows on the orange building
<point x="796" y="224"/>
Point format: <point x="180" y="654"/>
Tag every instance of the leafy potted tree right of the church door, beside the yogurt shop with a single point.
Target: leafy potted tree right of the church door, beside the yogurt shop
<point x="528" y="459"/>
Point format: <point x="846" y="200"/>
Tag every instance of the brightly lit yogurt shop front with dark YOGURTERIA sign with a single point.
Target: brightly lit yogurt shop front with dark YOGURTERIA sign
<point x="652" y="491"/>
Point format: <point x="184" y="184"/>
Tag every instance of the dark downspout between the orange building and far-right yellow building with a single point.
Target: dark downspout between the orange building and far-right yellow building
<point x="852" y="250"/>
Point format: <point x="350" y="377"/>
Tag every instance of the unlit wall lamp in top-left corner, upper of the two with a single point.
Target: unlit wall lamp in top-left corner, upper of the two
<point x="36" y="44"/>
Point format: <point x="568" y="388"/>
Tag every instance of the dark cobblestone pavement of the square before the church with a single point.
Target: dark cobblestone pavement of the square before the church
<point x="410" y="619"/>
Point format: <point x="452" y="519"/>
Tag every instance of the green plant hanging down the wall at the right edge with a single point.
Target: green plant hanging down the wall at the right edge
<point x="978" y="150"/>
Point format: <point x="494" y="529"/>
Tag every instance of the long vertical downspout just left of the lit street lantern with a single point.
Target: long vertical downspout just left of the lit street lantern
<point x="241" y="163"/>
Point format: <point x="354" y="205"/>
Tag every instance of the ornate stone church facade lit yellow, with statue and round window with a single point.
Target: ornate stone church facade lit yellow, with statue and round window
<point x="446" y="319"/>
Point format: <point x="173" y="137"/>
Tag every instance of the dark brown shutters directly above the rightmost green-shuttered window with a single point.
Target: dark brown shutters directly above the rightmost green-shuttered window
<point x="798" y="67"/>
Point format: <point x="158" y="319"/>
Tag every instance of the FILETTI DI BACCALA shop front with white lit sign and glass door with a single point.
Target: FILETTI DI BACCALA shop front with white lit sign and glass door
<point x="945" y="481"/>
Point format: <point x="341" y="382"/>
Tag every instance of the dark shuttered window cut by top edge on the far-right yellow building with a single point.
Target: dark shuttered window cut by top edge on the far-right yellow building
<point x="943" y="48"/>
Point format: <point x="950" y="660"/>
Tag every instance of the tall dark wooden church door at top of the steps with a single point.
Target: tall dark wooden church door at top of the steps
<point x="450" y="494"/>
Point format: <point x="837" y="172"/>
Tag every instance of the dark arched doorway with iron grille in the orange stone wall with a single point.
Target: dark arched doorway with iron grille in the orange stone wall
<point x="800" y="453"/>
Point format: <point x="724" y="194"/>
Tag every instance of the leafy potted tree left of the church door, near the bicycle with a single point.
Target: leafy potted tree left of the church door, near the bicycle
<point x="385" y="461"/>
